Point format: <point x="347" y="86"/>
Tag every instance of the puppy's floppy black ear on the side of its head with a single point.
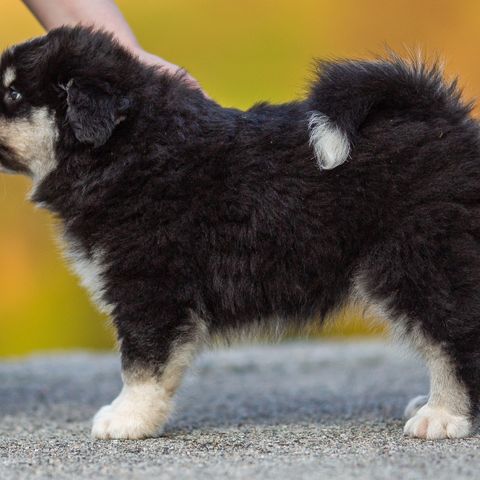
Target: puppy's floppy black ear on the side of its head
<point x="94" y="110"/>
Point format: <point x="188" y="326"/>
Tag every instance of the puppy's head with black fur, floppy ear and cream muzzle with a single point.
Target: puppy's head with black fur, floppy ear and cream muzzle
<point x="71" y="87"/>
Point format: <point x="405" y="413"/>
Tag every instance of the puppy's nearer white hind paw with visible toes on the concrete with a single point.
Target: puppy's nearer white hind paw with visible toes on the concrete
<point x="433" y="423"/>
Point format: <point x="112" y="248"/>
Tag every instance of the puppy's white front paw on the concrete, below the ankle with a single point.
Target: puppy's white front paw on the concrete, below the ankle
<point x="114" y="422"/>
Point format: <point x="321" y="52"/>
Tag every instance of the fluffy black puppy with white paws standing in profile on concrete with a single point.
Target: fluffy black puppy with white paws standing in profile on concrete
<point x="188" y="221"/>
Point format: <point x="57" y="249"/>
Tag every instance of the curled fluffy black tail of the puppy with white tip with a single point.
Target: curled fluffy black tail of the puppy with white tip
<point x="348" y="92"/>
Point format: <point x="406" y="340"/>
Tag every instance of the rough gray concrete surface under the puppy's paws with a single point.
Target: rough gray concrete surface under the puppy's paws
<point x="291" y="411"/>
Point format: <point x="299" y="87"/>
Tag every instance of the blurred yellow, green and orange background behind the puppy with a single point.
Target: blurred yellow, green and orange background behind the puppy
<point x="241" y="51"/>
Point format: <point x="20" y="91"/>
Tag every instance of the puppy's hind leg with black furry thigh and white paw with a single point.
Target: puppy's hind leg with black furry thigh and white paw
<point x="429" y="292"/>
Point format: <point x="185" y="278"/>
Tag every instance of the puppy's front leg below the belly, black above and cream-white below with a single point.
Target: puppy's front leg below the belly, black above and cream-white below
<point x="153" y="361"/>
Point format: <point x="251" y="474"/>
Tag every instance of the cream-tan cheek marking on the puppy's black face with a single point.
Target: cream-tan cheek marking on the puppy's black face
<point x="32" y="140"/>
